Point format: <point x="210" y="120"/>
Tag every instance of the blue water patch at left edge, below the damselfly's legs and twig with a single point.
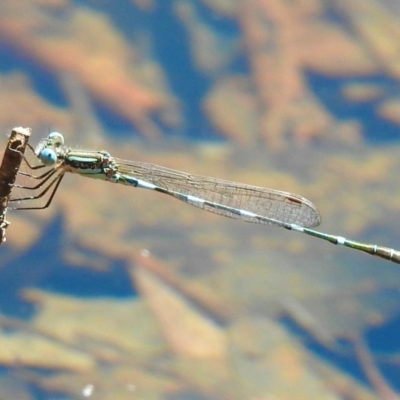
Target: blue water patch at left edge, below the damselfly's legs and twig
<point x="44" y="267"/>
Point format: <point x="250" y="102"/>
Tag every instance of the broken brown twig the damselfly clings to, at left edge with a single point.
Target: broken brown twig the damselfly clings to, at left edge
<point x="8" y="172"/>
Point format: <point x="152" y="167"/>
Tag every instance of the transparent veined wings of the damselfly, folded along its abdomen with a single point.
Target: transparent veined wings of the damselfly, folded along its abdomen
<point x="270" y="203"/>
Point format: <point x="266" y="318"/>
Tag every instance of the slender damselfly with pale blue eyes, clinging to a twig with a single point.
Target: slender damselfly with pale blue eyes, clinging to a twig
<point x="230" y="199"/>
